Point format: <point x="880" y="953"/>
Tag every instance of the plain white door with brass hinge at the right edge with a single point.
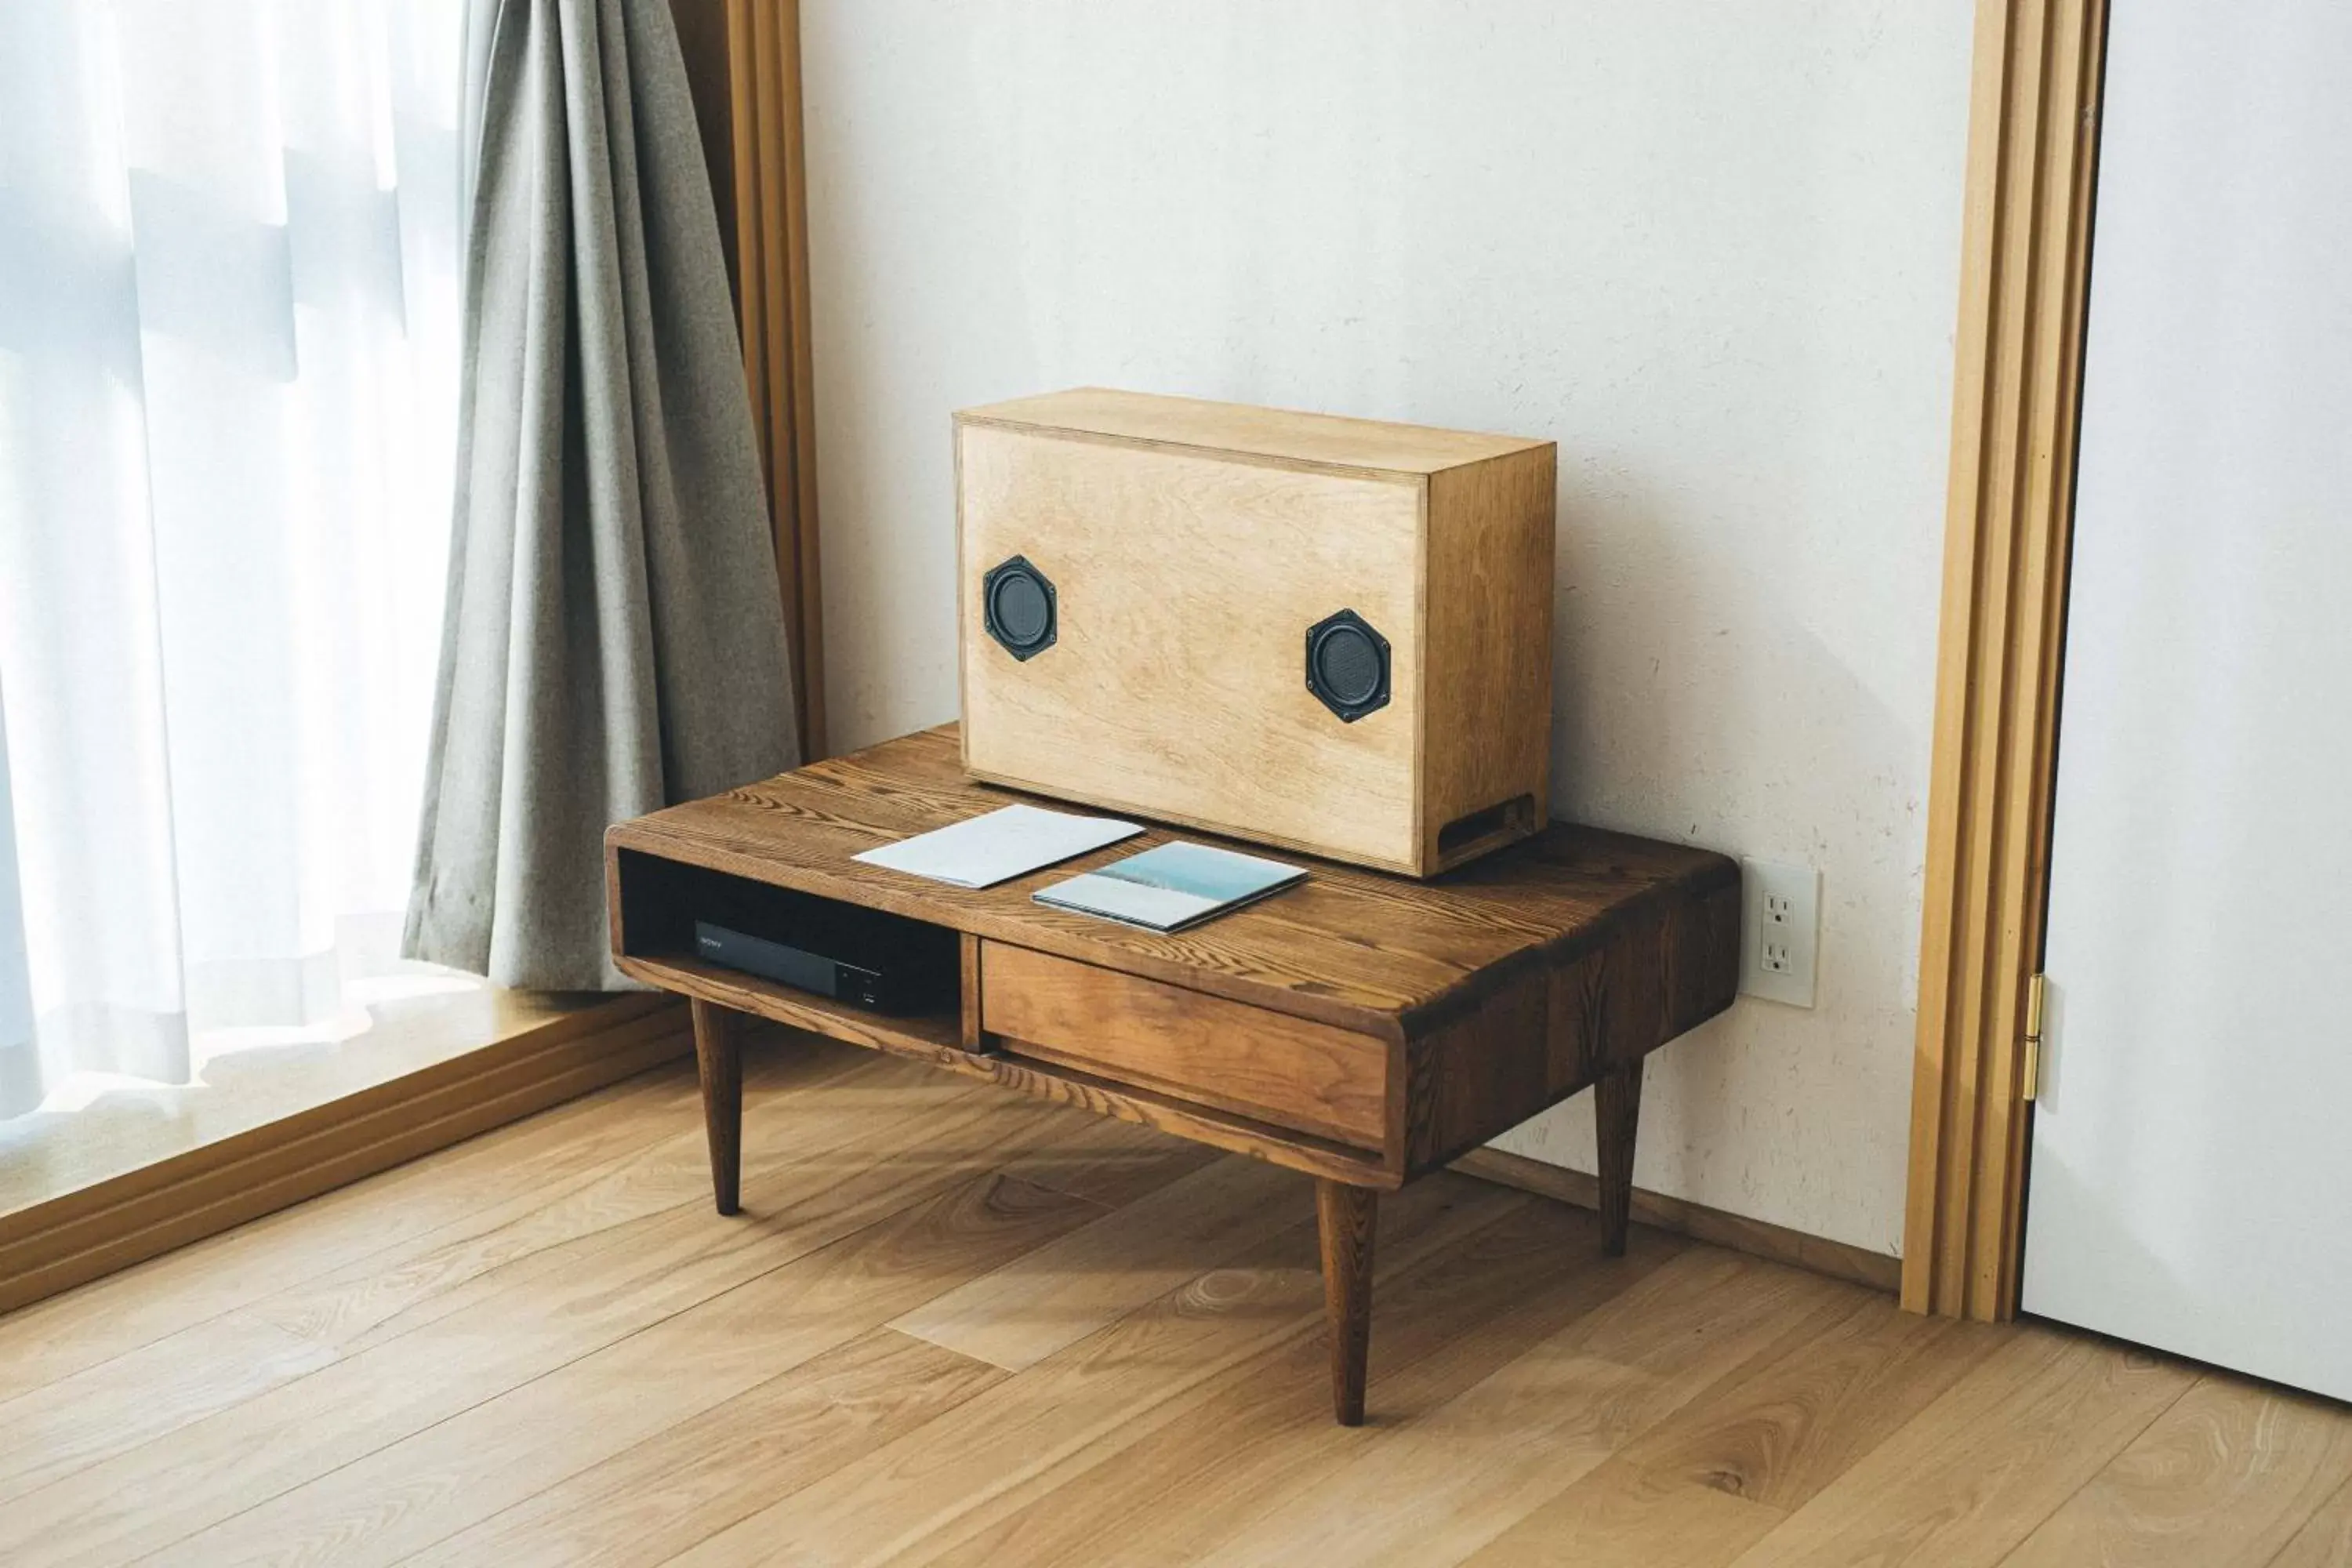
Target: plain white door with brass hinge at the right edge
<point x="2193" y="1151"/>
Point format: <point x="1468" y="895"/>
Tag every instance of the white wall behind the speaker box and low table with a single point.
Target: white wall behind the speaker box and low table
<point x="1711" y="250"/>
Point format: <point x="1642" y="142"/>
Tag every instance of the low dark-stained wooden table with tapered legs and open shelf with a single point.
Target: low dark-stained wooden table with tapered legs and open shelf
<point x="1358" y="1028"/>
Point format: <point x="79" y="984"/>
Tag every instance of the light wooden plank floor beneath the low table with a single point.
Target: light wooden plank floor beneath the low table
<point x="968" y="1329"/>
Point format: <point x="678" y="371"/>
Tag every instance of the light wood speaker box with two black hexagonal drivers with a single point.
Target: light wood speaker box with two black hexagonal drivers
<point x="1321" y="634"/>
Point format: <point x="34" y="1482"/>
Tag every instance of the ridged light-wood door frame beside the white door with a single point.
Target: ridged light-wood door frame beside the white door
<point x="2017" y="403"/>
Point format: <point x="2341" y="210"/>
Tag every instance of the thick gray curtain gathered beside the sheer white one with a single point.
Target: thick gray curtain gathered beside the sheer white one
<point x="615" y="636"/>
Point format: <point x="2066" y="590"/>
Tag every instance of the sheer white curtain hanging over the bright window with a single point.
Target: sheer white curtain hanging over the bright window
<point x="229" y="293"/>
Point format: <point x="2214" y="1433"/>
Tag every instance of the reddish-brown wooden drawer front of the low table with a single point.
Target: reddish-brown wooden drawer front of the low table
<point x="1269" y="1066"/>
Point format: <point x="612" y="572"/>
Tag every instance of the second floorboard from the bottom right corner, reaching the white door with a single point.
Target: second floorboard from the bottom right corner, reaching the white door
<point x="2221" y="1480"/>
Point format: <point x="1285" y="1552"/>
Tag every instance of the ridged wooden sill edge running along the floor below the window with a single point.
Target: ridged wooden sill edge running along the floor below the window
<point x="131" y="1219"/>
